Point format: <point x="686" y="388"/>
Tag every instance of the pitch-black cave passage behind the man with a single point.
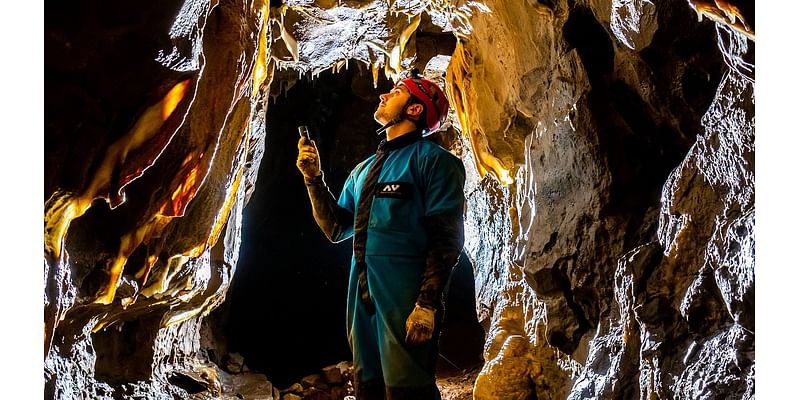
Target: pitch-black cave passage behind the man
<point x="285" y="311"/>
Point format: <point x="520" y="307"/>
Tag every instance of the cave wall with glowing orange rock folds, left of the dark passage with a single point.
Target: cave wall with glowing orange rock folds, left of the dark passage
<point x="152" y="143"/>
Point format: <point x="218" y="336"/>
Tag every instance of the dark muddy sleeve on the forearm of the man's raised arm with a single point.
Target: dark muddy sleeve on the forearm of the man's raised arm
<point x="334" y="218"/>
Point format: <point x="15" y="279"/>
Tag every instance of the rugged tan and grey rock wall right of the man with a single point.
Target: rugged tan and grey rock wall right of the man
<point x="612" y="284"/>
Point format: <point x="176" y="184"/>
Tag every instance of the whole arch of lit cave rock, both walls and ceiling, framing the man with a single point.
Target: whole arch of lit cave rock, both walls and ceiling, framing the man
<point x="609" y="148"/>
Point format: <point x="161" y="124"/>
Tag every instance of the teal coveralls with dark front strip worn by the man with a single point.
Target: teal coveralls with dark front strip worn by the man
<point x="414" y="236"/>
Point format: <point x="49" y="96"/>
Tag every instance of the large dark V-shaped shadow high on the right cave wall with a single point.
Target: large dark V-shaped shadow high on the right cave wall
<point x="644" y="139"/>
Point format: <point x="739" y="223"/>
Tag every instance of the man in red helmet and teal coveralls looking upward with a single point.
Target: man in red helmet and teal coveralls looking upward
<point x="404" y="208"/>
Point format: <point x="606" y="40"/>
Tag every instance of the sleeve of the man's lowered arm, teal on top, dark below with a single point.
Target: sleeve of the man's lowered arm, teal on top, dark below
<point x="443" y="223"/>
